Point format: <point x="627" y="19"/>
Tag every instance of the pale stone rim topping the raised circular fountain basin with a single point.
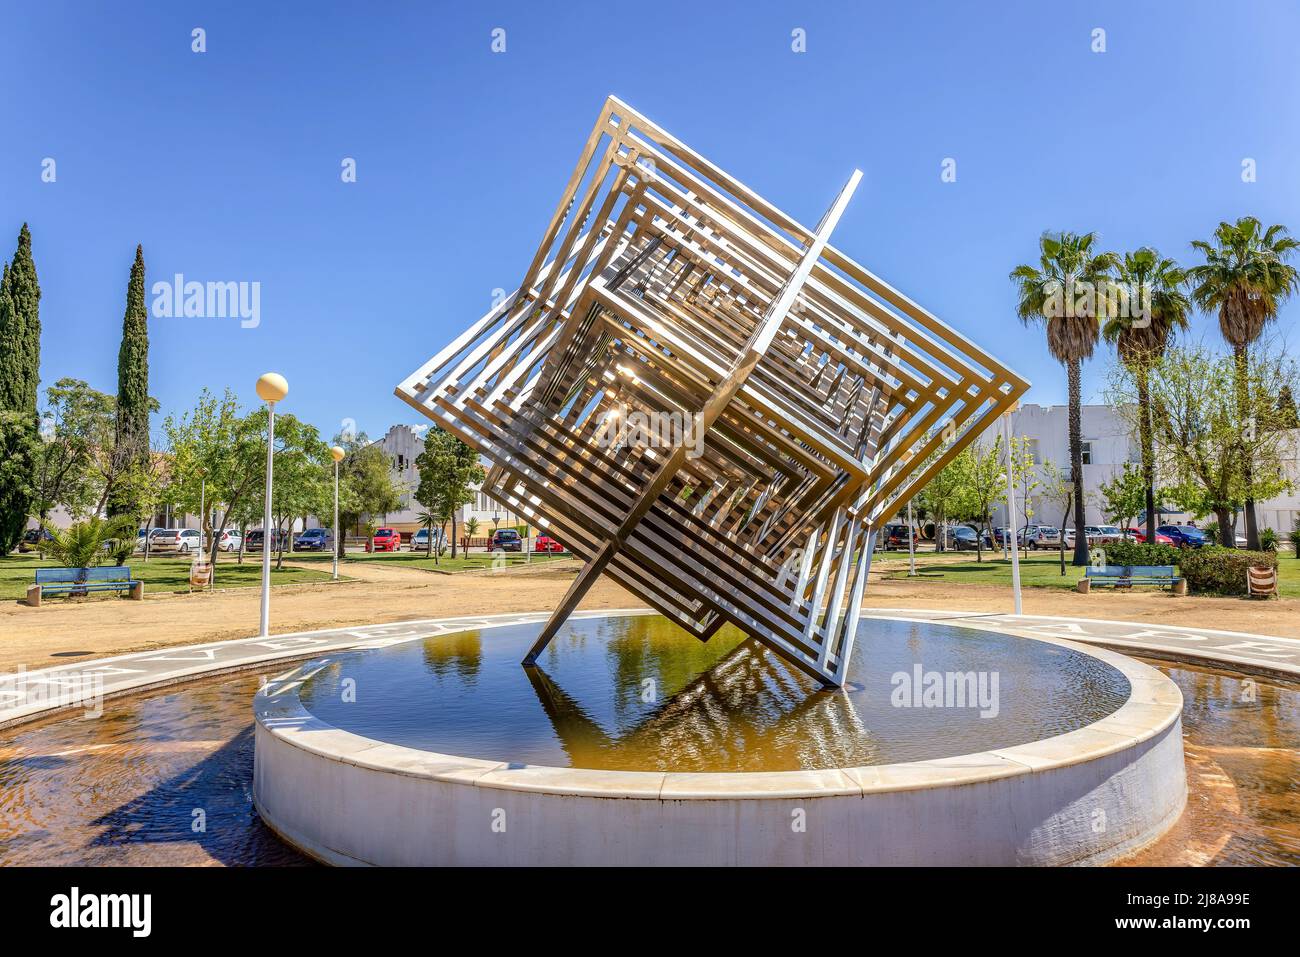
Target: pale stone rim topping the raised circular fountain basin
<point x="1154" y="705"/>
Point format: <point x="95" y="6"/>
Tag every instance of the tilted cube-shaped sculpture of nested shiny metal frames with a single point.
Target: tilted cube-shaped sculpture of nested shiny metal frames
<point x="808" y="399"/>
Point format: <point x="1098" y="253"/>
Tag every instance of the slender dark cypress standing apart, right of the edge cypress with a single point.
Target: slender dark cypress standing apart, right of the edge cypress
<point x="133" y="386"/>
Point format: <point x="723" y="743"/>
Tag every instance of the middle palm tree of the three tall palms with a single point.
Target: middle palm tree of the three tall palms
<point x="1142" y="337"/>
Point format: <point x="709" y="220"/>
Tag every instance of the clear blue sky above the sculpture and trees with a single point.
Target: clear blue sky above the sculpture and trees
<point x="227" y="164"/>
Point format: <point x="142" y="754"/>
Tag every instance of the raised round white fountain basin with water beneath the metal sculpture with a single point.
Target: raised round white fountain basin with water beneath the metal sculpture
<point x="635" y="744"/>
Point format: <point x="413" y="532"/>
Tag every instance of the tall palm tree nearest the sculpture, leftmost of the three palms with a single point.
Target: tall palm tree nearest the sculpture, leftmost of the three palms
<point x="1061" y="295"/>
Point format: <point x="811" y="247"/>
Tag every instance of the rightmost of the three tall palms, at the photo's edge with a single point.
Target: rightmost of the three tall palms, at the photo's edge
<point x="1245" y="278"/>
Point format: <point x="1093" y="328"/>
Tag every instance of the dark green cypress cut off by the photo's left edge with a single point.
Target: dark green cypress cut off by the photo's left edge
<point x="20" y="378"/>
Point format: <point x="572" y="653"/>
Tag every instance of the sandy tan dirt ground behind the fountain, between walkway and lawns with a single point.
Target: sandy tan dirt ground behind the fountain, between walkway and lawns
<point x="64" y="631"/>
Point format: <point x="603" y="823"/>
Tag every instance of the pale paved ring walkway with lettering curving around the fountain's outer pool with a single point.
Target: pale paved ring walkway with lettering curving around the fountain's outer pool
<point x="25" y="695"/>
